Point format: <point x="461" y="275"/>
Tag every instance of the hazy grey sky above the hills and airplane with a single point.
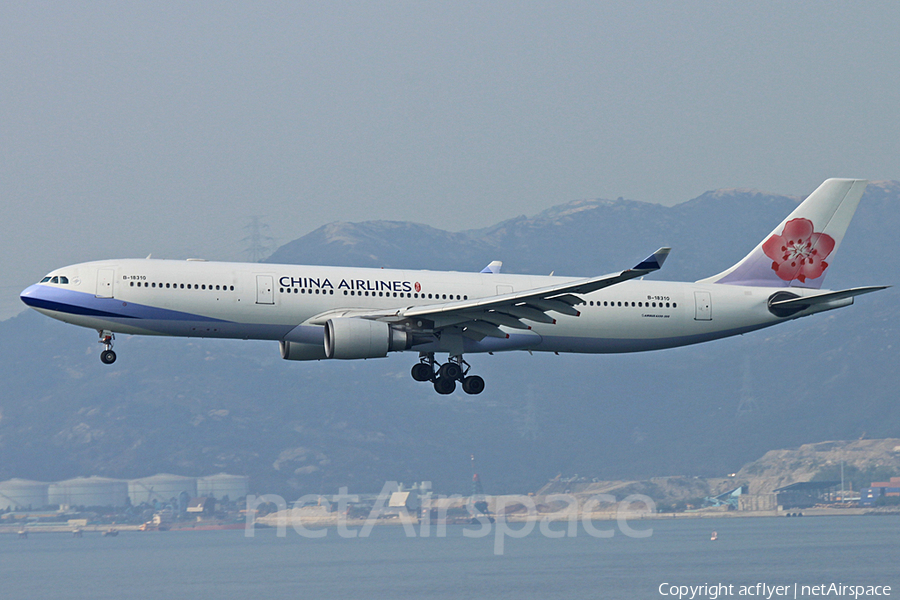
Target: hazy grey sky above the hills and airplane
<point x="131" y="128"/>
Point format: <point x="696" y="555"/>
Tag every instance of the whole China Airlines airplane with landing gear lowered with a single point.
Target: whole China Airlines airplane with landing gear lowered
<point x="345" y="313"/>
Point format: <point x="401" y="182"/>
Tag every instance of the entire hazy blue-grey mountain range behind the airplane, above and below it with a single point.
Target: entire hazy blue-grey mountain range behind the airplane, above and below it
<point x="196" y="407"/>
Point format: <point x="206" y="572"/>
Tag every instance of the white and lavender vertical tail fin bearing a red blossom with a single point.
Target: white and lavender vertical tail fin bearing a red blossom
<point x="797" y="252"/>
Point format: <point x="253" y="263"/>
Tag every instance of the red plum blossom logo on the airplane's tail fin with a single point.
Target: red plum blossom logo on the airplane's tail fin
<point x="799" y="252"/>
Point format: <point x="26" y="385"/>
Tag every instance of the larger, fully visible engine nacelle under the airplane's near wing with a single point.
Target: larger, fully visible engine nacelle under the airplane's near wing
<point x="349" y="338"/>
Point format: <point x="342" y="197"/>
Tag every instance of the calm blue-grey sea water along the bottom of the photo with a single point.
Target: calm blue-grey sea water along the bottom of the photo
<point x="388" y="563"/>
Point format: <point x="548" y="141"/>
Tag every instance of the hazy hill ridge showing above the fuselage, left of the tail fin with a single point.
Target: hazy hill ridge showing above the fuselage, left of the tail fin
<point x="584" y="237"/>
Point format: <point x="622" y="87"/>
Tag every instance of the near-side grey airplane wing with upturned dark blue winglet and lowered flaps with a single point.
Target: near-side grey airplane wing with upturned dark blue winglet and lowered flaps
<point x="481" y="317"/>
